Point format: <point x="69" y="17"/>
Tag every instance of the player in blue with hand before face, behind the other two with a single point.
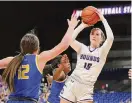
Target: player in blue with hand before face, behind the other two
<point x="59" y="77"/>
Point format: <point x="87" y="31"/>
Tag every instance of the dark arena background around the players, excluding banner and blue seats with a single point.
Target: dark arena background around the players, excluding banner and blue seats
<point x="50" y="20"/>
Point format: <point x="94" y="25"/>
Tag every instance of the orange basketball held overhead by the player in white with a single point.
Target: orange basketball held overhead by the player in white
<point x="89" y="15"/>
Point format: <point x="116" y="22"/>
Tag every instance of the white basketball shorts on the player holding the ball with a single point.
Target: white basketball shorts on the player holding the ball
<point x="74" y="91"/>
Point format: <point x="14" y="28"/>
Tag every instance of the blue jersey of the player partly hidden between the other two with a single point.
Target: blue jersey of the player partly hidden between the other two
<point x="55" y="91"/>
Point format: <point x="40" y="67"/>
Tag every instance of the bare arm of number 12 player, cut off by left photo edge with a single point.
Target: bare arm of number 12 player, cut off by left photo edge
<point x="4" y="62"/>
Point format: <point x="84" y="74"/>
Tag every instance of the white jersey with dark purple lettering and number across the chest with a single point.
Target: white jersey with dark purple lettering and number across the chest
<point x="90" y="63"/>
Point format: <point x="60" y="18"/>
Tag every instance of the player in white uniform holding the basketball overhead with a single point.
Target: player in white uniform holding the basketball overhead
<point x="90" y="61"/>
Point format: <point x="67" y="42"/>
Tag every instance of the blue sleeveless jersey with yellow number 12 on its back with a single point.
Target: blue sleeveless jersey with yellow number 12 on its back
<point x="27" y="79"/>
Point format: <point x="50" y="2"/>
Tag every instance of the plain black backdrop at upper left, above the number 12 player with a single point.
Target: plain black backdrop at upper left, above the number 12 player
<point x="18" y="17"/>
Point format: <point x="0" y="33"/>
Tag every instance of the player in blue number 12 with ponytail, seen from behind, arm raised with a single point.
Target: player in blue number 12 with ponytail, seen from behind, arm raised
<point x="23" y="72"/>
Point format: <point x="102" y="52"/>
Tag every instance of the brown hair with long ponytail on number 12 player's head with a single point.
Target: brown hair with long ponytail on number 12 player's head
<point x="29" y="43"/>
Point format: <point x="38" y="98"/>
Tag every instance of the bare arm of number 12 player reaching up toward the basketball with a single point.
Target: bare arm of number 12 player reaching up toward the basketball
<point x="63" y="45"/>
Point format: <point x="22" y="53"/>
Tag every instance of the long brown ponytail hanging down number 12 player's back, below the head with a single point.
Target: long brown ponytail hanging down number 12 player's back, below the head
<point x="10" y="71"/>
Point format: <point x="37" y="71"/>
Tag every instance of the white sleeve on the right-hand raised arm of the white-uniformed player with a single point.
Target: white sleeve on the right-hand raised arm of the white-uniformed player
<point x="109" y="41"/>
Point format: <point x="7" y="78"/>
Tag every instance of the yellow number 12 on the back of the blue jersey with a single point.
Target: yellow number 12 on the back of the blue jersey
<point x="22" y="72"/>
